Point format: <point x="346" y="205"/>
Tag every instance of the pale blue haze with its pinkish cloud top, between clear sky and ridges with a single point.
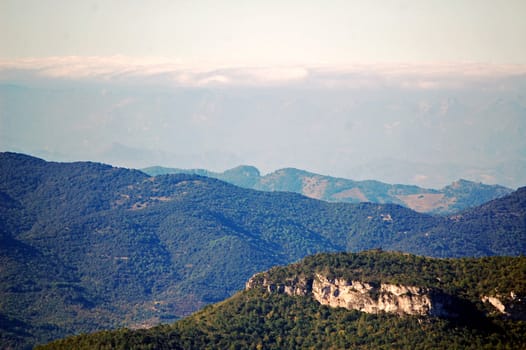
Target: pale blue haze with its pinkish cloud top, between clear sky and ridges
<point x="348" y="121"/>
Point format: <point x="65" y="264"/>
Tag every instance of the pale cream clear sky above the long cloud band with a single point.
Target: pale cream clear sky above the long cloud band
<point x="238" y="32"/>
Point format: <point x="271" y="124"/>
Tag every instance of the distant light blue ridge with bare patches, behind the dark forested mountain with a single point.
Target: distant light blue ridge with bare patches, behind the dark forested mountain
<point x="458" y="196"/>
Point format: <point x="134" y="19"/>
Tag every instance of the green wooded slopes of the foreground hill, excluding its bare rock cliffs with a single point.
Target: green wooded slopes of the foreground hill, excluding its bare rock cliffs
<point x="257" y="319"/>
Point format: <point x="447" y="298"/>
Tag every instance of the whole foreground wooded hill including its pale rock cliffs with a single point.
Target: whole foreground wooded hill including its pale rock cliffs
<point x="370" y="300"/>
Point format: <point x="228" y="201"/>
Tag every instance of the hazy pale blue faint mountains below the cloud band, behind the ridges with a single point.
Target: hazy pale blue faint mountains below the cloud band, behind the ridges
<point x="395" y="135"/>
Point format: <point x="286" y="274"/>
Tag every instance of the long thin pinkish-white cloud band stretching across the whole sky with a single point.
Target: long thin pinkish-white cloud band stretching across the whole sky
<point x="160" y="70"/>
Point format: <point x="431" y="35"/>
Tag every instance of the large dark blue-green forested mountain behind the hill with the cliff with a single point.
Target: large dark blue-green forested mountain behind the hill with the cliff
<point x="87" y="246"/>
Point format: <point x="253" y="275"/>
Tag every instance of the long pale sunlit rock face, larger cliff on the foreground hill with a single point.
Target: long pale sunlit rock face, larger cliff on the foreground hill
<point x="362" y="296"/>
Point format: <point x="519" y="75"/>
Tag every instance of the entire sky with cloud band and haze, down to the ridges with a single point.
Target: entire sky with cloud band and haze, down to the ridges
<point x="421" y="92"/>
